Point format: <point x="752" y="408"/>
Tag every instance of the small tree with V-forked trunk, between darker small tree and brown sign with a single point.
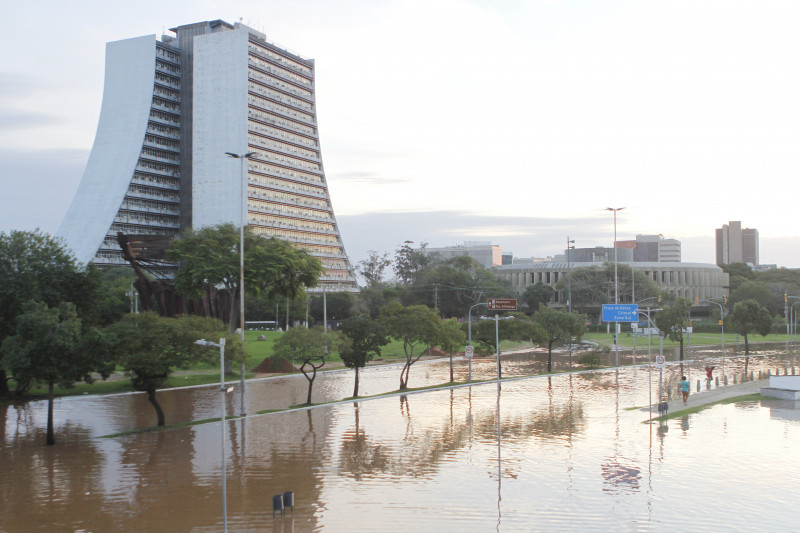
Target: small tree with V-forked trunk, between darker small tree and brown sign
<point x="416" y="326"/>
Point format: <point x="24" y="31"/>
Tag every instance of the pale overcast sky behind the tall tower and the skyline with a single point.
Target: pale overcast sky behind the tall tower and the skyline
<point x="516" y="122"/>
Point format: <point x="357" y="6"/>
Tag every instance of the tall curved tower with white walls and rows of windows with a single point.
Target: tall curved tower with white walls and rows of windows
<point x="172" y="109"/>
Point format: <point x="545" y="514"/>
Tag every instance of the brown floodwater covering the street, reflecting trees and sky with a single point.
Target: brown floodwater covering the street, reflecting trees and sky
<point x="567" y="451"/>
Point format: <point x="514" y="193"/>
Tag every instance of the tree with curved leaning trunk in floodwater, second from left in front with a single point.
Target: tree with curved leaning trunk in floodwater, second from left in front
<point x="150" y="347"/>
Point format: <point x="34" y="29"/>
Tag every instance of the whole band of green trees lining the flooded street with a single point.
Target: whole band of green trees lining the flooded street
<point x="61" y="322"/>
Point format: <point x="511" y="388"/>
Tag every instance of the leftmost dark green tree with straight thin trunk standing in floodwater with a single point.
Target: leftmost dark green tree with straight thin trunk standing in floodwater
<point x="49" y="346"/>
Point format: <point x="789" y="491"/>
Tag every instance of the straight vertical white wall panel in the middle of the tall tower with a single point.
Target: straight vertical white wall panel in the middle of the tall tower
<point x="220" y="125"/>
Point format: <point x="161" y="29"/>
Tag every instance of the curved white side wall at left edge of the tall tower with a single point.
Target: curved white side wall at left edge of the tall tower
<point x="127" y="97"/>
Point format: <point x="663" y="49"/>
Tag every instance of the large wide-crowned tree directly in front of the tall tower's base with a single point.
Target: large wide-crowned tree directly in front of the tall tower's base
<point x="211" y="256"/>
